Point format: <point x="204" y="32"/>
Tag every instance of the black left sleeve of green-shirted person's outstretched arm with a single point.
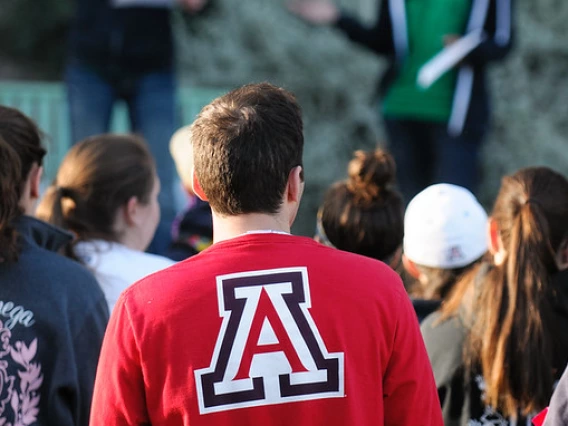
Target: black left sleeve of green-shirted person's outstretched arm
<point x="378" y="38"/>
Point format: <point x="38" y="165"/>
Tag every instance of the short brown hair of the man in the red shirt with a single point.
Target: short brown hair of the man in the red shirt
<point x="245" y="144"/>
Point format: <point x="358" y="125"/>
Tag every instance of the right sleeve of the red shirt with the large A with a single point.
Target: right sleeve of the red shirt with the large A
<point x="410" y="394"/>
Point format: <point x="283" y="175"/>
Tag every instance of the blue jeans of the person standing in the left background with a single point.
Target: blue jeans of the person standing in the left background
<point x="151" y="103"/>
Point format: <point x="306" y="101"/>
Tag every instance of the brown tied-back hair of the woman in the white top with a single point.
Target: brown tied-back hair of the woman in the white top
<point x="98" y="176"/>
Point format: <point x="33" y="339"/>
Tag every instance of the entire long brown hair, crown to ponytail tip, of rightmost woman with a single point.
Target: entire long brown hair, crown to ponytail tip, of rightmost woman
<point x="512" y="332"/>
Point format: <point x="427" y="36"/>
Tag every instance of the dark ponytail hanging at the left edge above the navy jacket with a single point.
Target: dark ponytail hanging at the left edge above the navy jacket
<point x="10" y="172"/>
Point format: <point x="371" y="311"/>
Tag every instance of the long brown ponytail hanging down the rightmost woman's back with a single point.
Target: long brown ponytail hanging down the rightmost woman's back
<point x="516" y="347"/>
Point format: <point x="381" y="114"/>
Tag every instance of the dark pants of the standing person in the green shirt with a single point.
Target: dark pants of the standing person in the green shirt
<point x="426" y="154"/>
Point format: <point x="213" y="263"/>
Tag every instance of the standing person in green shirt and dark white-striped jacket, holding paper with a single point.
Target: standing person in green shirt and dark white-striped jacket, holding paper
<point x="434" y="134"/>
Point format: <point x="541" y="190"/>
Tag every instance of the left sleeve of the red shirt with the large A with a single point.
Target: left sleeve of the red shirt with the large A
<point x="119" y="397"/>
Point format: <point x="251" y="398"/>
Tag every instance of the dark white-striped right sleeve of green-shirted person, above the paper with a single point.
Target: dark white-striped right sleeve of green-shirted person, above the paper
<point x="498" y="30"/>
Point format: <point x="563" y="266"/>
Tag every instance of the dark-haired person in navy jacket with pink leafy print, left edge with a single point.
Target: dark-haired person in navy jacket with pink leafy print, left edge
<point x="52" y="312"/>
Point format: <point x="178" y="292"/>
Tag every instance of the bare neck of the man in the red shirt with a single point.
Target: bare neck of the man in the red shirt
<point x="227" y="227"/>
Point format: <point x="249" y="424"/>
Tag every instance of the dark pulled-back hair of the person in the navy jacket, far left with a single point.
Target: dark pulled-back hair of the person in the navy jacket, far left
<point x="20" y="149"/>
